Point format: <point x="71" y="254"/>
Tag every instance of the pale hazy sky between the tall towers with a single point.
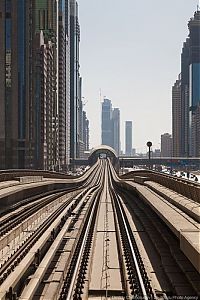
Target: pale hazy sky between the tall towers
<point x="131" y="51"/>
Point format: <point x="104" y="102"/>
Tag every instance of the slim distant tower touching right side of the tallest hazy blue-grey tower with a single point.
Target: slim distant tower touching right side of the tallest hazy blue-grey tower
<point x="116" y="130"/>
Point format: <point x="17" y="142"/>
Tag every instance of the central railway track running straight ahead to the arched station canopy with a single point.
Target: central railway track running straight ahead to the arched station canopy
<point x="133" y="269"/>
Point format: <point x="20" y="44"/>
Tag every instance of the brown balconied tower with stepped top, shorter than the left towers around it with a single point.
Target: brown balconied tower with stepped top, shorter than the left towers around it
<point x="43" y="129"/>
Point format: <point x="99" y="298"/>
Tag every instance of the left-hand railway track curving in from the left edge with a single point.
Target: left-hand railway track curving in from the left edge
<point x="10" y="230"/>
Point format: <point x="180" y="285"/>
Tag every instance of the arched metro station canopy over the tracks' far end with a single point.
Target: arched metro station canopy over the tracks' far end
<point x="102" y="151"/>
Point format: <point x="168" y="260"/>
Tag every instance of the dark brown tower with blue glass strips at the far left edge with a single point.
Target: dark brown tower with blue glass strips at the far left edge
<point x="15" y="89"/>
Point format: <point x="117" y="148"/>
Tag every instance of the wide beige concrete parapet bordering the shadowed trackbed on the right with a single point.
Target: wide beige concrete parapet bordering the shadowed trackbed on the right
<point x="186" y="231"/>
